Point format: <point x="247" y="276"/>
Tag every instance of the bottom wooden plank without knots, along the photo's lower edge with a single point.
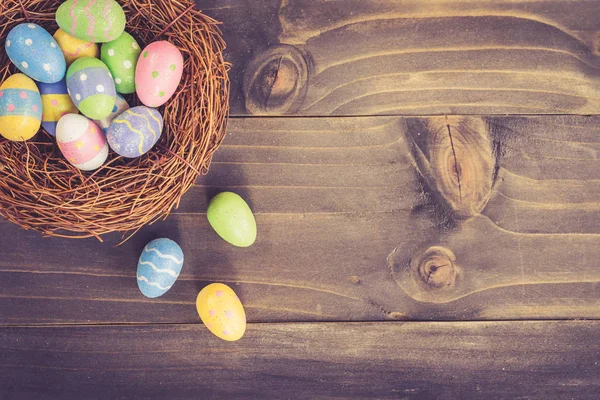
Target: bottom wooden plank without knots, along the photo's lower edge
<point x="503" y="360"/>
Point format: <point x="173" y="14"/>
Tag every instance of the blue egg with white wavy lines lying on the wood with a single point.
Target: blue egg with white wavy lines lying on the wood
<point x="159" y="266"/>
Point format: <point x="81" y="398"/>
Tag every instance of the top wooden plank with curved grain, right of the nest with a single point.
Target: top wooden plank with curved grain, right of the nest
<point x="357" y="57"/>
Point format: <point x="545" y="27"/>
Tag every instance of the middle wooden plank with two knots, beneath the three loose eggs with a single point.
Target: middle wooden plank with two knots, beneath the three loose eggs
<point x="352" y="214"/>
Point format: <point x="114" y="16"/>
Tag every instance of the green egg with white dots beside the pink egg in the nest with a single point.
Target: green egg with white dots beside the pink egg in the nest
<point x="120" y="56"/>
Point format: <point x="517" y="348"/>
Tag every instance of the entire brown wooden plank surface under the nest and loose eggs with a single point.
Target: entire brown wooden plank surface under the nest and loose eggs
<point x="426" y="183"/>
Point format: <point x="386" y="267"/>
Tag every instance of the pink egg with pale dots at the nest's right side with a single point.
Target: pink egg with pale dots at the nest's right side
<point x="158" y="73"/>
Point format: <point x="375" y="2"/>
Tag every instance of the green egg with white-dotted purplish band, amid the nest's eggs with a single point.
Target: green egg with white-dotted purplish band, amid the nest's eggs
<point x="91" y="87"/>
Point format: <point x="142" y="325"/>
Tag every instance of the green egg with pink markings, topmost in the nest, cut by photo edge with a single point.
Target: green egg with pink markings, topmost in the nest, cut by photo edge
<point x="91" y="20"/>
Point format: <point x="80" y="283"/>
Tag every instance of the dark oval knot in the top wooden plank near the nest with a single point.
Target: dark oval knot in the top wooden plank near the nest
<point x="275" y="81"/>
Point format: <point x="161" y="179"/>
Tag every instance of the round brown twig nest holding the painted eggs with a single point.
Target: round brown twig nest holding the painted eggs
<point x="41" y="190"/>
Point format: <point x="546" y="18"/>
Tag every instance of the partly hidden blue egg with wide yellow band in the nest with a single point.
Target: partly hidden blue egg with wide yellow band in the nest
<point x="55" y="103"/>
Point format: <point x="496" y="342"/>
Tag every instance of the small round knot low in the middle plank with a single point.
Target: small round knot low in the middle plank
<point x="436" y="269"/>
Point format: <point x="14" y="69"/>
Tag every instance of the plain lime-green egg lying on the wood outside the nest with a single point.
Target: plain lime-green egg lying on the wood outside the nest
<point x="232" y="219"/>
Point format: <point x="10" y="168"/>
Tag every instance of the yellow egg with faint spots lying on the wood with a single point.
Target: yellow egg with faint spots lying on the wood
<point x="221" y="311"/>
